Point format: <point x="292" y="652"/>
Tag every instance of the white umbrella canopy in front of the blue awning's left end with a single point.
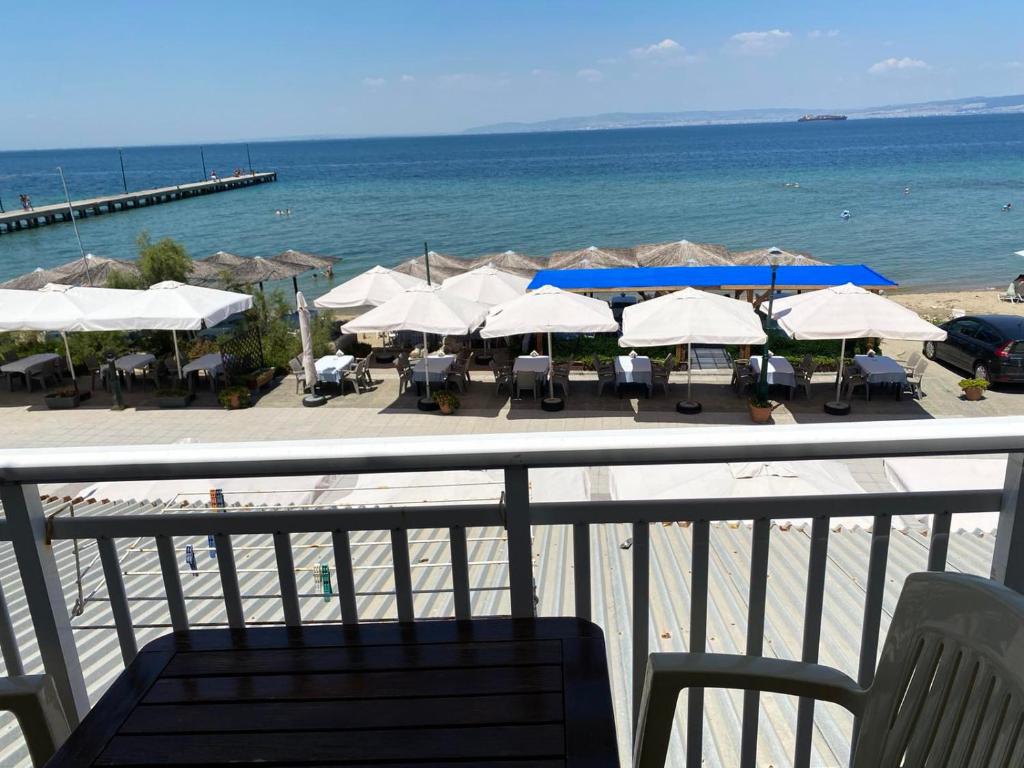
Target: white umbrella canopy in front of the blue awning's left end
<point x="549" y="310"/>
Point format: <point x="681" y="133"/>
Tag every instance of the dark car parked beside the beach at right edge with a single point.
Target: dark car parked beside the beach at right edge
<point x="989" y="347"/>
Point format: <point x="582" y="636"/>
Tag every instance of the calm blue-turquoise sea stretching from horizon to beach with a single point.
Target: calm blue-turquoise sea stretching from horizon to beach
<point x="376" y="201"/>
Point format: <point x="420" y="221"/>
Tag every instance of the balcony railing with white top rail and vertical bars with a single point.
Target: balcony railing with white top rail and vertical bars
<point x="33" y="535"/>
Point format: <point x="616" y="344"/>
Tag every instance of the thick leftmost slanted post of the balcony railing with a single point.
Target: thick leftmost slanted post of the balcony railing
<point x="41" y="581"/>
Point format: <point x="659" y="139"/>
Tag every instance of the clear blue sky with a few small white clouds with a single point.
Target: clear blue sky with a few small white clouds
<point x="184" y="72"/>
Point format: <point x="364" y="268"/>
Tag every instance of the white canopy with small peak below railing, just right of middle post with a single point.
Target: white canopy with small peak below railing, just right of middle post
<point x="737" y="481"/>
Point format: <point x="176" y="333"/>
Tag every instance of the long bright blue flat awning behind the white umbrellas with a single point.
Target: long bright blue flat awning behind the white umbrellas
<point x="723" y="278"/>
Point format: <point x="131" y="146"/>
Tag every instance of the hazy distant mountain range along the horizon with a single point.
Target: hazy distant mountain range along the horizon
<point x="970" y="106"/>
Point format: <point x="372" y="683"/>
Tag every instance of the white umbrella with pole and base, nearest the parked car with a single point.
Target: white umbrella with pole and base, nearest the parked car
<point x="848" y="312"/>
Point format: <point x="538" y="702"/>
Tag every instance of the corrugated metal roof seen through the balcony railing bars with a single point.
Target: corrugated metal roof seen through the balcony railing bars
<point x="489" y="576"/>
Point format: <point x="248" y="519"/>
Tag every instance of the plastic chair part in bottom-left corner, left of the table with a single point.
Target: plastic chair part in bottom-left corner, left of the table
<point x="33" y="700"/>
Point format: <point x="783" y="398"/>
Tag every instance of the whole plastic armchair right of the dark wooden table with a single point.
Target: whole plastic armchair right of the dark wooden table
<point x="949" y="689"/>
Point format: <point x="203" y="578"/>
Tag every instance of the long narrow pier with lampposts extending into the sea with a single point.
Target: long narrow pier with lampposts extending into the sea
<point x="13" y="222"/>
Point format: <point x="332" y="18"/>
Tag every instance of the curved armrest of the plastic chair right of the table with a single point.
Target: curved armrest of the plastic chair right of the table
<point x="668" y="674"/>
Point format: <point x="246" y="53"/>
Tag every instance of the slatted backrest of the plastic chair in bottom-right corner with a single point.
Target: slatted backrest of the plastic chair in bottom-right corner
<point x="950" y="687"/>
